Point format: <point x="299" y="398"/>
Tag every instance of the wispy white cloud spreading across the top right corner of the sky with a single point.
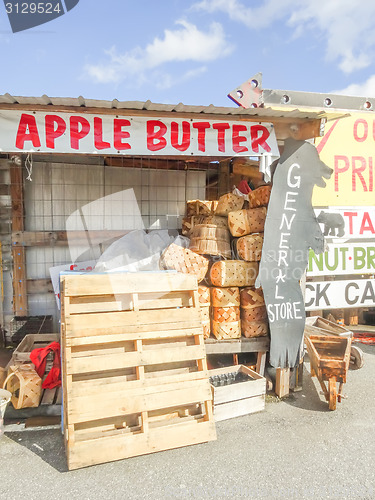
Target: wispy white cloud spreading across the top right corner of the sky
<point x="347" y="27"/>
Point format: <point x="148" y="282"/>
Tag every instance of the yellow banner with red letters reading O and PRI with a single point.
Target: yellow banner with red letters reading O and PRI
<point x="348" y="147"/>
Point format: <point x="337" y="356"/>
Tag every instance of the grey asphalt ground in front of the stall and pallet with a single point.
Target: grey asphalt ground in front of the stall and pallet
<point x="295" y="448"/>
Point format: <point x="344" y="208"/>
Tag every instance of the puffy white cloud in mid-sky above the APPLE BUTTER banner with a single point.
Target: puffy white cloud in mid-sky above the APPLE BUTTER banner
<point x="187" y="43"/>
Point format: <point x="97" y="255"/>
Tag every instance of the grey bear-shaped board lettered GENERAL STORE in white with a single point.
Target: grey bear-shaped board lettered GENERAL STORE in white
<point x="291" y="229"/>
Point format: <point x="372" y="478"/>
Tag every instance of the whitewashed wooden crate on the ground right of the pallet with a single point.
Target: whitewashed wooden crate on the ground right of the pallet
<point x="242" y="398"/>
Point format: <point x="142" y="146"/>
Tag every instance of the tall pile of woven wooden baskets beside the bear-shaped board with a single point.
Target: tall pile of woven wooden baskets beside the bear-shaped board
<point x="226" y="238"/>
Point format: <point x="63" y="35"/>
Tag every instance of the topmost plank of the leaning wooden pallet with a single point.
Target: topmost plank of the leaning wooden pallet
<point x="118" y="283"/>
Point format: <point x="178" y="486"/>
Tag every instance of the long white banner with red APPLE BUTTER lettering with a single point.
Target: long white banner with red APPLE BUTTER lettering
<point x="60" y="132"/>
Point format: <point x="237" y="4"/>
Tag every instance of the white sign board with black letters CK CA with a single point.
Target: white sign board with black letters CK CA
<point x="339" y="294"/>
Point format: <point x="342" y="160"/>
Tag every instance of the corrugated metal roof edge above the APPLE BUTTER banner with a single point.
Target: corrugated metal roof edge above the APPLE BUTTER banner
<point x="180" y="107"/>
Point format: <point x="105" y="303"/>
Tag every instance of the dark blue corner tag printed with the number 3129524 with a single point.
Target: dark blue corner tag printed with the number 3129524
<point x="26" y="14"/>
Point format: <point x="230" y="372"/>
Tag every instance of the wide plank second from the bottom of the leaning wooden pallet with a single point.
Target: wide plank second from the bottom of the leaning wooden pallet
<point x="135" y="401"/>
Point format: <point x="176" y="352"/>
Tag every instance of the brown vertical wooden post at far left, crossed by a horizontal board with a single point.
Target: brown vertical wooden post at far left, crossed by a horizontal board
<point x="20" y="306"/>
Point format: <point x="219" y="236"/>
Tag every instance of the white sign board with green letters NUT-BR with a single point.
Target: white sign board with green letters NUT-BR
<point x="341" y="259"/>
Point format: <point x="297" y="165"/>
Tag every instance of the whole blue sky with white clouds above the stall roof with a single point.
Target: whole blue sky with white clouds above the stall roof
<point x="192" y="51"/>
